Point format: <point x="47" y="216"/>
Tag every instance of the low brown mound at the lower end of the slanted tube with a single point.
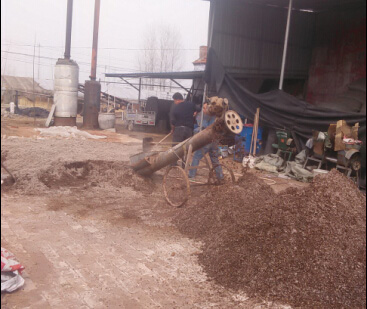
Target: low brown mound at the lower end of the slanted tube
<point x="84" y="175"/>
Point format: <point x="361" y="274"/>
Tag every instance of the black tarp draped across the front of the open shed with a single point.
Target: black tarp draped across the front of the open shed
<point x="279" y="110"/>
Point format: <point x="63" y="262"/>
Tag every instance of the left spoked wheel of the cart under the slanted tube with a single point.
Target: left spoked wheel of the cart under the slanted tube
<point x="176" y="186"/>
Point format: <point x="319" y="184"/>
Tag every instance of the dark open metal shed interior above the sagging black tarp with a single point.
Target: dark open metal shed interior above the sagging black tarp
<point x="251" y="40"/>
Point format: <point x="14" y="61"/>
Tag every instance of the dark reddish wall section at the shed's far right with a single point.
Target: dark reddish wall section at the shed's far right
<point x="339" y="55"/>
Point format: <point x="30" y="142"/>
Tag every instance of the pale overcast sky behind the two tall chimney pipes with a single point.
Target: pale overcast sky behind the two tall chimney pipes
<point x="123" y="23"/>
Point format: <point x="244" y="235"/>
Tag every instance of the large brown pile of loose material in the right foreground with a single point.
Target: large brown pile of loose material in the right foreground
<point x="303" y="247"/>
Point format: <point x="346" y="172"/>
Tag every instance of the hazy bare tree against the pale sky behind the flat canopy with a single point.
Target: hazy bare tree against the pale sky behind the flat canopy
<point x="162" y="52"/>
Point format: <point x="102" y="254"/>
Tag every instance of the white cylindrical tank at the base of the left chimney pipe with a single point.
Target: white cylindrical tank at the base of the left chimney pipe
<point x="66" y="88"/>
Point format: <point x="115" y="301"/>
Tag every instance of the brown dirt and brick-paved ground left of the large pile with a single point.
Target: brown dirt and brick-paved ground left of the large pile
<point x="91" y="234"/>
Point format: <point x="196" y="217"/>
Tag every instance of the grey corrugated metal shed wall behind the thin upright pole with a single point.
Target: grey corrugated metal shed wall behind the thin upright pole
<point x="249" y="39"/>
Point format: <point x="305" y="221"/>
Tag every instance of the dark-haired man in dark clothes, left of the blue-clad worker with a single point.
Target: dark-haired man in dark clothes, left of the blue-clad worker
<point x="182" y="118"/>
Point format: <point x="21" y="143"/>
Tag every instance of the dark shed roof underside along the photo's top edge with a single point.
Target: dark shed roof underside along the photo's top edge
<point x="314" y="5"/>
